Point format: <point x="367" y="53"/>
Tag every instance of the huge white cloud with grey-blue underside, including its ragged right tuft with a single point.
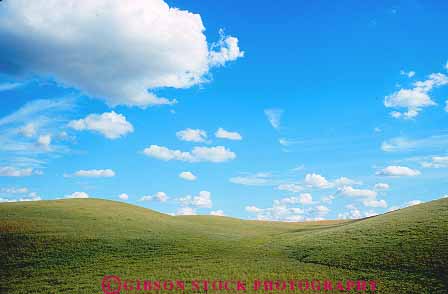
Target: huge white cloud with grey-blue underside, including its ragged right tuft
<point x="147" y="45"/>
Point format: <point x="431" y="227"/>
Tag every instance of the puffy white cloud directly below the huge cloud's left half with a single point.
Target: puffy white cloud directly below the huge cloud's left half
<point x="109" y="124"/>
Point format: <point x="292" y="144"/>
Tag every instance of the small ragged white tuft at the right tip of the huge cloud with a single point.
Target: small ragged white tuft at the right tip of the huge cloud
<point x="228" y="50"/>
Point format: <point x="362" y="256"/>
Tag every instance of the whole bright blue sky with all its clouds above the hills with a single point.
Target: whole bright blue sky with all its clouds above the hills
<point x="325" y="110"/>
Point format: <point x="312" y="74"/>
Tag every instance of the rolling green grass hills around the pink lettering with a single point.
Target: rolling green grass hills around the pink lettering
<point x="67" y="246"/>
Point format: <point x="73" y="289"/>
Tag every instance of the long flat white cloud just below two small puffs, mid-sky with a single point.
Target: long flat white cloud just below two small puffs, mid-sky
<point x="198" y="154"/>
